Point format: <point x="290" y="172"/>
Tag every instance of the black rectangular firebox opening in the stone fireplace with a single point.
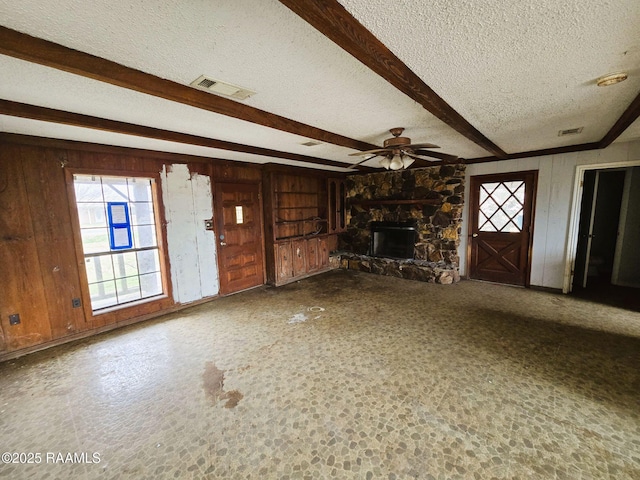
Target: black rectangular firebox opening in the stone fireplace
<point x="393" y="239"/>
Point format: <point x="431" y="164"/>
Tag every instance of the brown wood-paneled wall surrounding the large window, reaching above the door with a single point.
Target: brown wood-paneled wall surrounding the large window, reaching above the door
<point x="38" y="259"/>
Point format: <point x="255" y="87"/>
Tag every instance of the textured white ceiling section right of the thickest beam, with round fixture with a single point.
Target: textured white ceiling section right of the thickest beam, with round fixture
<point x="518" y="71"/>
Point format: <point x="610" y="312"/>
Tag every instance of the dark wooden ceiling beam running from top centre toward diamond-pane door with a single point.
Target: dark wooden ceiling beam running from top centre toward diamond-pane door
<point x="336" y="23"/>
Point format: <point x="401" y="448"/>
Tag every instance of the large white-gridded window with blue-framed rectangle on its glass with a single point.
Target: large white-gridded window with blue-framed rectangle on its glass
<point x="117" y="217"/>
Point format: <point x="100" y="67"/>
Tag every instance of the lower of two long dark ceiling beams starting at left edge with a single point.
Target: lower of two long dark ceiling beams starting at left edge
<point x="33" y="112"/>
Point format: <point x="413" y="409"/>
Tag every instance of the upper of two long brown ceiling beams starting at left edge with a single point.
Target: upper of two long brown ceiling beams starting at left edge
<point x="43" y="52"/>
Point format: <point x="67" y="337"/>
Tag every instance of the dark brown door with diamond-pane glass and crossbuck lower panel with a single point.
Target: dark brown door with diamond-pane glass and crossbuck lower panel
<point x="501" y="227"/>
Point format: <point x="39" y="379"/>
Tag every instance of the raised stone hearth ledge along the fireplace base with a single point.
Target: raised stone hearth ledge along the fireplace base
<point x="421" y="270"/>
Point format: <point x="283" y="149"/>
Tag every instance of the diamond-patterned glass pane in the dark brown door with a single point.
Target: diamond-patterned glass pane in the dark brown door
<point x="501" y="207"/>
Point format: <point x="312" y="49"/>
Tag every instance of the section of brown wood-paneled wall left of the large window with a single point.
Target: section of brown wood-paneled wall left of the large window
<point x="37" y="253"/>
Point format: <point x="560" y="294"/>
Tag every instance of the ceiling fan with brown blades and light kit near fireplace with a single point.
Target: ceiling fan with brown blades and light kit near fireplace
<point x="398" y="152"/>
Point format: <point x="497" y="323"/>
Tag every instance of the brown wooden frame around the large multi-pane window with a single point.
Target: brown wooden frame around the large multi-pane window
<point x="136" y="308"/>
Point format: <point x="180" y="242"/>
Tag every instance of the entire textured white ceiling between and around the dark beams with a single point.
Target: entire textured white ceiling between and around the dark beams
<point x="518" y="72"/>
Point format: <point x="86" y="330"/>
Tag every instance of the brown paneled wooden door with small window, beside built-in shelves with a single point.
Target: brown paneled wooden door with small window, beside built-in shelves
<point x="239" y="233"/>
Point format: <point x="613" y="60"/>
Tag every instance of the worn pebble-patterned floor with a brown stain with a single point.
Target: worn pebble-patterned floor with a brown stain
<point x="343" y="375"/>
